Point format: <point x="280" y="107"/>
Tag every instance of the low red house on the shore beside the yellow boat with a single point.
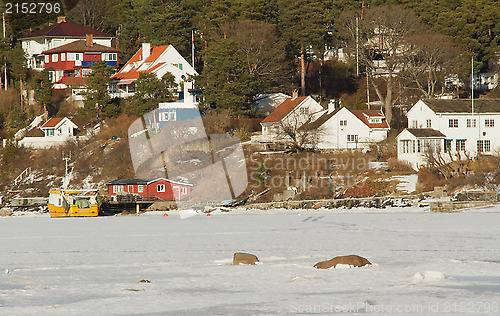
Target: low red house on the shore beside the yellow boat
<point x="161" y="188"/>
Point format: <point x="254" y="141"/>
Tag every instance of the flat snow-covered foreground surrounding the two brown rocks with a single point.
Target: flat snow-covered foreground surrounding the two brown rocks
<point x="424" y="263"/>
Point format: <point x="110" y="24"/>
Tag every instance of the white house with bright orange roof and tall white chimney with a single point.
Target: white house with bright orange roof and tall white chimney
<point x="150" y="59"/>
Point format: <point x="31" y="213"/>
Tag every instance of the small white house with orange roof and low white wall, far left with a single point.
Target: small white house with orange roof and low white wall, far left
<point x="56" y="131"/>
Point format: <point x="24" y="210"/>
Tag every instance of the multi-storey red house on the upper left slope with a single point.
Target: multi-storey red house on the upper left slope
<point x="70" y="63"/>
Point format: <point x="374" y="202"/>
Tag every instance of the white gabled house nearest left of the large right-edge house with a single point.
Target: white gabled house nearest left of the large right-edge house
<point x="350" y="129"/>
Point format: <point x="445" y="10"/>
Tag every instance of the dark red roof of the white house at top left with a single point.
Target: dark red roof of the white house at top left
<point x="69" y="29"/>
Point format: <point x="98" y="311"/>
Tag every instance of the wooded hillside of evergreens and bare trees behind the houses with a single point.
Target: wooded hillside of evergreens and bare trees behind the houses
<point x="243" y="48"/>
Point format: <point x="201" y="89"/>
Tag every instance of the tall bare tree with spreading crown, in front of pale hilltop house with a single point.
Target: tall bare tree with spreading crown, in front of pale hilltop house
<point x="378" y="41"/>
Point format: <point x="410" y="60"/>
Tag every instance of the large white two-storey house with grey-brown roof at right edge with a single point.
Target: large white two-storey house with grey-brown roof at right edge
<point x="465" y="132"/>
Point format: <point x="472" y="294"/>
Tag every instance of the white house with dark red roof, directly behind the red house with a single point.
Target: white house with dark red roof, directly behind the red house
<point x="61" y="33"/>
